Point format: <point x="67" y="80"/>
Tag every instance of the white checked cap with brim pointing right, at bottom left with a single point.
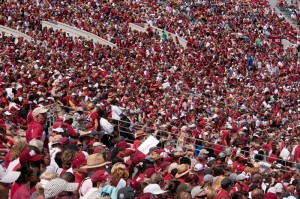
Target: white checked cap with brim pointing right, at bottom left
<point x="58" y="185"/>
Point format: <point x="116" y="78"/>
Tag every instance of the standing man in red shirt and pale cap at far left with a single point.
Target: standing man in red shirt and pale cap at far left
<point x="35" y="128"/>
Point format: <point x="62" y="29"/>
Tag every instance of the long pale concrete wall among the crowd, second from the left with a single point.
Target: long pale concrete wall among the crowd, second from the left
<point x="76" y="32"/>
